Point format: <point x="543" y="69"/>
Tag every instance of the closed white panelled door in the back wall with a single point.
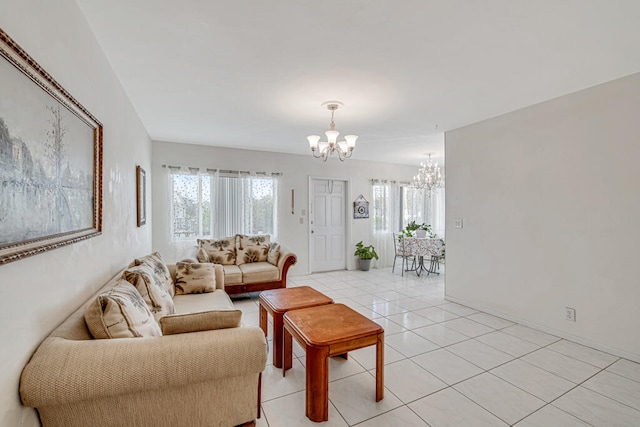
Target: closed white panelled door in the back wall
<point x="327" y="225"/>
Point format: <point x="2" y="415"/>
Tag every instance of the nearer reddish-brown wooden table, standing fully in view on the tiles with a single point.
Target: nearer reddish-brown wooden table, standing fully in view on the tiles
<point x="324" y="331"/>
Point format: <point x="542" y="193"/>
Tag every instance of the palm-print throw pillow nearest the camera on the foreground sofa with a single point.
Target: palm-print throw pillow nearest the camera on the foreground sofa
<point x="120" y="312"/>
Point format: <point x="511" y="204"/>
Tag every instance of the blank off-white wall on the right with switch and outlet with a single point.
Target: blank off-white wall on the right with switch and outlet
<point x="550" y="201"/>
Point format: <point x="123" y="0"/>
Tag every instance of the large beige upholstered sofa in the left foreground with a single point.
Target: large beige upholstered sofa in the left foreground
<point x="205" y="378"/>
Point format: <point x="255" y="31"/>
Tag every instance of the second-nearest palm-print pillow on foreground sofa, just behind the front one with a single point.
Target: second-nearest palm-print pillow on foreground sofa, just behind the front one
<point x="151" y="290"/>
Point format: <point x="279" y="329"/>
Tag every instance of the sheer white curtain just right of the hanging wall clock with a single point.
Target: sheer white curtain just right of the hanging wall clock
<point x="385" y="219"/>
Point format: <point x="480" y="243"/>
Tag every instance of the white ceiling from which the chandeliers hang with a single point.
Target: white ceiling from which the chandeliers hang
<point x="253" y="73"/>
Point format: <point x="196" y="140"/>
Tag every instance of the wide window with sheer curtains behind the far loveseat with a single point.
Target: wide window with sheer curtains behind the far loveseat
<point x="215" y="205"/>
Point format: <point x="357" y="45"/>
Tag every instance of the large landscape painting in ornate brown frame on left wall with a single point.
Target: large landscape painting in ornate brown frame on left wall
<point x="50" y="160"/>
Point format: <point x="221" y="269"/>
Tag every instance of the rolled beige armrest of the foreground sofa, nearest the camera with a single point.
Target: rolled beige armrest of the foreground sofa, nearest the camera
<point x="65" y="371"/>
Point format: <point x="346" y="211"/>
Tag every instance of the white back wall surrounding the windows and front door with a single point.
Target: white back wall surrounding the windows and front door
<point x="296" y="170"/>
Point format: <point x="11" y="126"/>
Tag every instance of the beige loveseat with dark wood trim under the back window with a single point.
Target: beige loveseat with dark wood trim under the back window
<point x="250" y="263"/>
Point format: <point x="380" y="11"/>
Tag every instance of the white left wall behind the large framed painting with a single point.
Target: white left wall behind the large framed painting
<point x="38" y="293"/>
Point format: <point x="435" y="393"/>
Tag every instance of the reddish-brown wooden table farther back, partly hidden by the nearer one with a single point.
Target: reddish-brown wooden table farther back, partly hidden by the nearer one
<point x="278" y="302"/>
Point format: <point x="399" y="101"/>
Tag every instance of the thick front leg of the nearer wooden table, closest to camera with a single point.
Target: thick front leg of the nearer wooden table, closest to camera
<point x="318" y="383"/>
